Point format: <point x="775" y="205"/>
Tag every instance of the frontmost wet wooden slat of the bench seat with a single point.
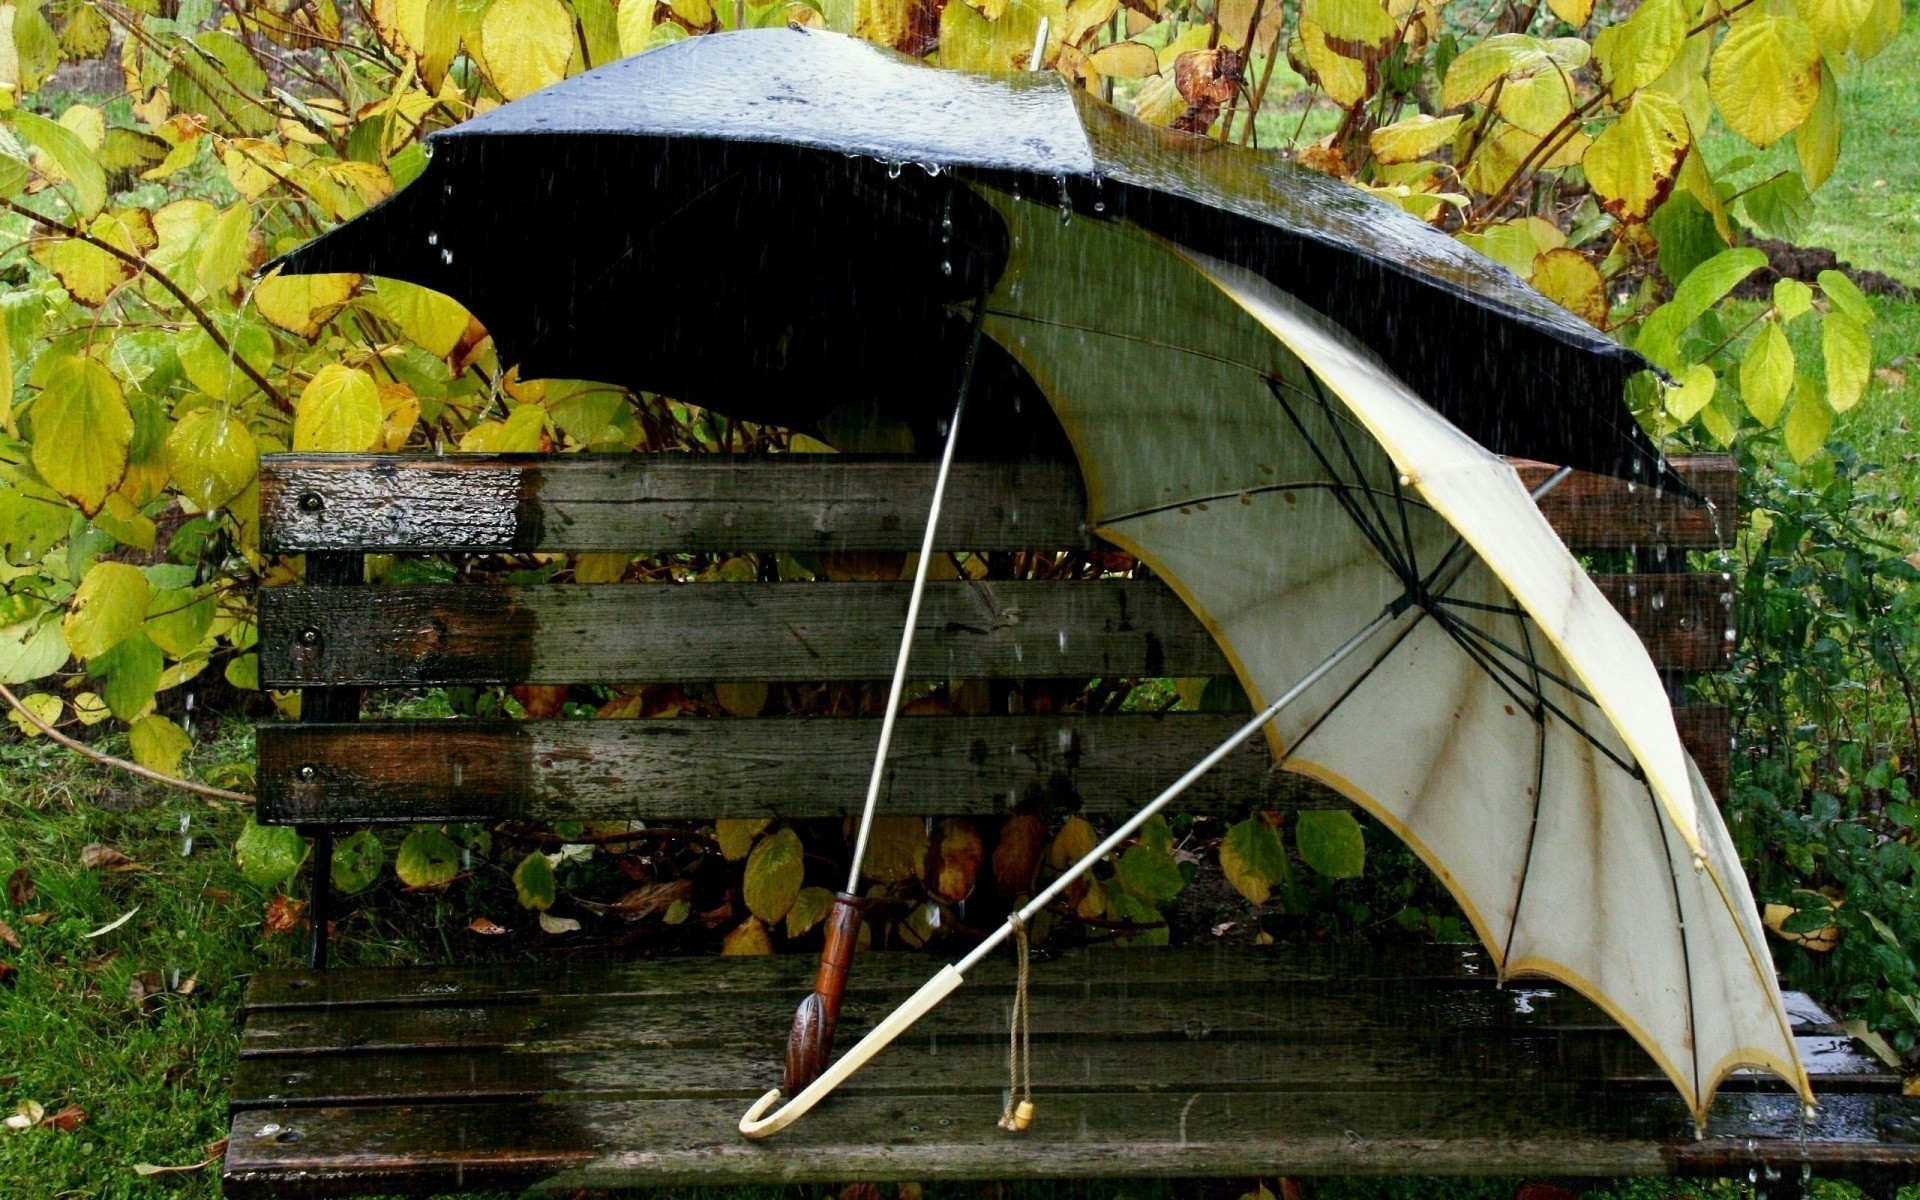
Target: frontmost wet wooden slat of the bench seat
<point x="882" y="1140"/>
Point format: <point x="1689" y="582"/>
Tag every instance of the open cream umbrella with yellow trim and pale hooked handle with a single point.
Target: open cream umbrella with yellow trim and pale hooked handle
<point x="1410" y="629"/>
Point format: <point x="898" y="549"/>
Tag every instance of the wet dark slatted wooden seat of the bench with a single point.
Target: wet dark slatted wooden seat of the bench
<point x="1211" y="1061"/>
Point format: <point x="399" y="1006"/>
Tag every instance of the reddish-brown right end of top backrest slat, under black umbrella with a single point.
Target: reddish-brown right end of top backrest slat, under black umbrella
<point x="1596" y="512"/>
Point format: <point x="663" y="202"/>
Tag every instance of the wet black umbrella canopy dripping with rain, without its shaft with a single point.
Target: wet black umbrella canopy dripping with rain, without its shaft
<point x="777" y="224"/>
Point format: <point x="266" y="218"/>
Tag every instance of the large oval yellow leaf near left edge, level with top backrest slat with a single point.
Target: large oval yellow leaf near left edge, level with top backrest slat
<point x="82" y="431"/>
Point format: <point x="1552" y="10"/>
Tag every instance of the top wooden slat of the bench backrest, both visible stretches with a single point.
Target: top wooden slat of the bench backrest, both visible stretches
<point x="665" y="504"/>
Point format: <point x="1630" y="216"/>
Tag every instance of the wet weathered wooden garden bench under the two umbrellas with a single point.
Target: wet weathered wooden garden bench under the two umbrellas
<point x="1201" y="1061"/>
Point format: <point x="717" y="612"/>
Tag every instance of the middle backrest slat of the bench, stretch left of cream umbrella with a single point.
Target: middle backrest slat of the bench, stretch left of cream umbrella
<point x="717" y="633"/>
